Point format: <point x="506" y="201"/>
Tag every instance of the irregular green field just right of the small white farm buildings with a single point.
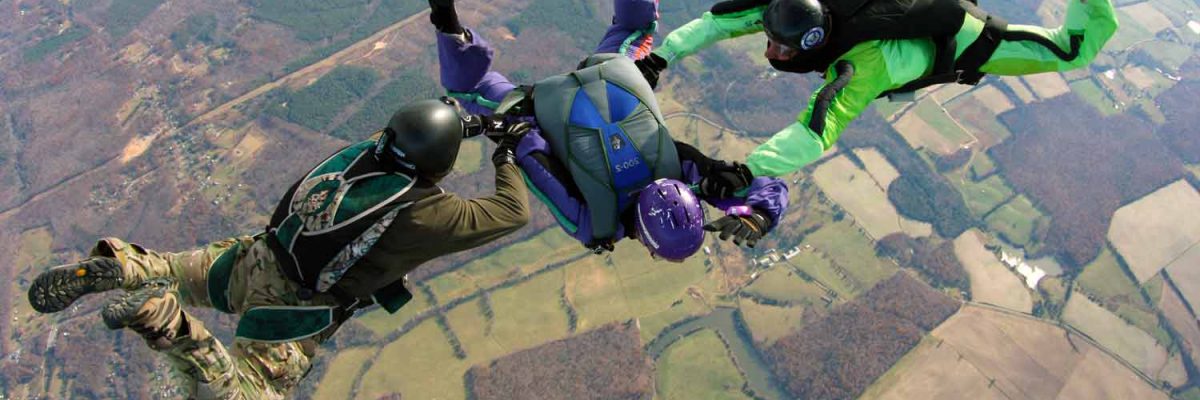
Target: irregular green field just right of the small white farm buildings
<point x="851" y="250"/>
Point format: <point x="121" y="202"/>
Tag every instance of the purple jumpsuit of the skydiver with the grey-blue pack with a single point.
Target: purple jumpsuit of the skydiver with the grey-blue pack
<point x="466" y="71"/>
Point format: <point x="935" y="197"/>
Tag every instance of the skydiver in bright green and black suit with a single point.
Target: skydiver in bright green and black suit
<point x="874" y="49"/>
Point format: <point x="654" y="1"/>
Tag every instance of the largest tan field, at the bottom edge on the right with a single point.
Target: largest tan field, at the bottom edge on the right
<point x="985" y="354"/>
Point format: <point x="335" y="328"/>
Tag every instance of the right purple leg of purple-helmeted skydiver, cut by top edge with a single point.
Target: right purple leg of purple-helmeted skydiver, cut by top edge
<point x="633" y="28"/>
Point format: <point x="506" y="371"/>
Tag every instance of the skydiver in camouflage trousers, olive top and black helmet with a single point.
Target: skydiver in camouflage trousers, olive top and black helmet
<point x="343" y="238"/>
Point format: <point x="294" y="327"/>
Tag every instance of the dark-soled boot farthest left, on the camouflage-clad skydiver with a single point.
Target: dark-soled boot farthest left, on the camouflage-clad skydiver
<point x="56" y="290"/>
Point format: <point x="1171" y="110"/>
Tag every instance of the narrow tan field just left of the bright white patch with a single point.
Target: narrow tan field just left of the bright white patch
<point x="992" y="283"/>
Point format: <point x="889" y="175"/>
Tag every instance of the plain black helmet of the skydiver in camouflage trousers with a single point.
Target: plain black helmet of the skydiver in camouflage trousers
<point x="425" y="138"/>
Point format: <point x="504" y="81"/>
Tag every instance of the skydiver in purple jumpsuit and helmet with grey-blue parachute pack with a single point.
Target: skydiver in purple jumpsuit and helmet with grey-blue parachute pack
<point x="601" y="156"/>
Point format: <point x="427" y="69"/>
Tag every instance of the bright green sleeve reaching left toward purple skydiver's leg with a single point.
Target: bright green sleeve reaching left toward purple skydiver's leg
<point x="728" y="20"/>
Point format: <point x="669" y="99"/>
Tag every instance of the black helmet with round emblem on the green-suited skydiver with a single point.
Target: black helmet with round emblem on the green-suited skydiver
<point x="799" y="25"/>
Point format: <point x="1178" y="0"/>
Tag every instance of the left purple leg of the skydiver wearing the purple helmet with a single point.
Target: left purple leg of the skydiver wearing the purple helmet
<point x="465" y="62"/>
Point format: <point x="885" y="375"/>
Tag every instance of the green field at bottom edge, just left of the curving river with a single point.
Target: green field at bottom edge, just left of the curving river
<point x="699" y="367"/>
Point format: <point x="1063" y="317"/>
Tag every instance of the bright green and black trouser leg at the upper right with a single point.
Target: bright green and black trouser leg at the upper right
<point x="1095" y="20"/>
